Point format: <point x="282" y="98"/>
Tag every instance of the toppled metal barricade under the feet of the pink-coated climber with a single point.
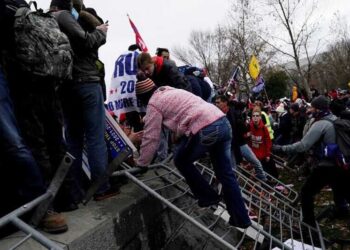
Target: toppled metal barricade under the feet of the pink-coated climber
<point x="276" y="224"/>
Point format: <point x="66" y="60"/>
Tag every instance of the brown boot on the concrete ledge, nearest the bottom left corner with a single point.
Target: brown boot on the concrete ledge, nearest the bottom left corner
<point x="53" y="223"/>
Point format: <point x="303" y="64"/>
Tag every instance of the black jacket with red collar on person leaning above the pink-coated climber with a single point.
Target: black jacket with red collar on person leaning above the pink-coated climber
<point x="169" y="75"/>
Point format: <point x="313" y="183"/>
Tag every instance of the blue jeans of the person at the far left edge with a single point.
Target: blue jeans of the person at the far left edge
<point x="27" y="176"/>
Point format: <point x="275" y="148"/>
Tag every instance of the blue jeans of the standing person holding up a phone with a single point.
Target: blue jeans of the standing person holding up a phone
<point x="84" y="114"/>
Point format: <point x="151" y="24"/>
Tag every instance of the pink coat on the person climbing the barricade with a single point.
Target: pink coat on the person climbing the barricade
<point x="180" y="111"/>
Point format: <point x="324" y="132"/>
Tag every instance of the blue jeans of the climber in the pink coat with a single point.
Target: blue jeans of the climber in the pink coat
<point x="215" y="139"/>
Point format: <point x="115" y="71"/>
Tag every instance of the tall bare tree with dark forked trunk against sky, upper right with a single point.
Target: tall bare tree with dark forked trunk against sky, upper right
<point x="300" y="31"/>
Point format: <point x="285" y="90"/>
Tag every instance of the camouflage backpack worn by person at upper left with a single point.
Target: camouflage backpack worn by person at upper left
<point x="40" y="46"/>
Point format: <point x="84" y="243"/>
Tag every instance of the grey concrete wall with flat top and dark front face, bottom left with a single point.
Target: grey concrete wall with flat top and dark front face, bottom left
<point x="131" y="220"/>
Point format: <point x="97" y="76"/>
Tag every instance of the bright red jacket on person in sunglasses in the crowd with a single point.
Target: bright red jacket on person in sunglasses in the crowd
<point x="260" y="141"/>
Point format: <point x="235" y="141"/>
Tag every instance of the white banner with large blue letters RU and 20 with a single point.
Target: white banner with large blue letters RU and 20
<point x="121" y="97"/>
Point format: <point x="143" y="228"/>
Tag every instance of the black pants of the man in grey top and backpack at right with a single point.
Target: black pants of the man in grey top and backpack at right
<point x="320" y="177"/>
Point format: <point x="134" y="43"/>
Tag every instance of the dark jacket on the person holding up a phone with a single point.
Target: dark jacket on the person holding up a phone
<point x="85" y="47"/>
